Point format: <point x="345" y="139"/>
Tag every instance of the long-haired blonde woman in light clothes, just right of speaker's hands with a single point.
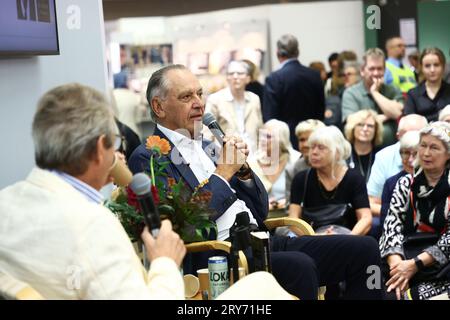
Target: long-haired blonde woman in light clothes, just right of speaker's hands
<point x="274" y="154"/>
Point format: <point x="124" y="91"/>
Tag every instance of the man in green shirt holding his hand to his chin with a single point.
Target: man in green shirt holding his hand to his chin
<point x="372" y="93"/>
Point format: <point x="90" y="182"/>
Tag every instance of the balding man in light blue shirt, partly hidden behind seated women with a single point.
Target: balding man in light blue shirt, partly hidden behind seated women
<point x="388" y="162"/>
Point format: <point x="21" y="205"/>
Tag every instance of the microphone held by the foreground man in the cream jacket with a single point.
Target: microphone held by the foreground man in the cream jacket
<point x="141" y="186"/>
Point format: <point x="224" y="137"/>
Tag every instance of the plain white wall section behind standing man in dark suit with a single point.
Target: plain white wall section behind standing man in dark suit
<point x="320" y="27"/>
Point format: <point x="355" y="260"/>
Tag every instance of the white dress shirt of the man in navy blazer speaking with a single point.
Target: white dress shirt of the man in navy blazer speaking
<point x="203" y="167"/>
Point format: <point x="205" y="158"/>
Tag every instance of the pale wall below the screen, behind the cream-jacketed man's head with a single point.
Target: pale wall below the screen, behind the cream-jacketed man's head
<point x="23" y="81"/>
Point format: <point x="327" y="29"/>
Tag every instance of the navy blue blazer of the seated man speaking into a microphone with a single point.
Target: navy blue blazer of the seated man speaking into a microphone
<point x="254" y="196"/>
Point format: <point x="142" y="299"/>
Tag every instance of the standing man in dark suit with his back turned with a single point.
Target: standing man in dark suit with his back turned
<point x="294" y="92"/>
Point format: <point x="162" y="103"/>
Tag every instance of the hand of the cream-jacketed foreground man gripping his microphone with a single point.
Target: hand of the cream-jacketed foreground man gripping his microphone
<point x="167" y="244"/>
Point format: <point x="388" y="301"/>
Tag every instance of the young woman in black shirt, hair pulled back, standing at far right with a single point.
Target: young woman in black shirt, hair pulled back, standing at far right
<point x="433" y="94"/>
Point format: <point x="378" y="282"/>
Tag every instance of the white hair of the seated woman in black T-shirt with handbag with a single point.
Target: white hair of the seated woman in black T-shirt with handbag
<point x="332" y="138"/>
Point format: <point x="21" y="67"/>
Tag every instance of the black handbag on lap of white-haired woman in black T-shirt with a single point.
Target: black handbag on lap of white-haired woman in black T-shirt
<point x="324" y="215"/>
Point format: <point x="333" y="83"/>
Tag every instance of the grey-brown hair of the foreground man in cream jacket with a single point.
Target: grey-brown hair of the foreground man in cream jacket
<point x="67" y="125"/>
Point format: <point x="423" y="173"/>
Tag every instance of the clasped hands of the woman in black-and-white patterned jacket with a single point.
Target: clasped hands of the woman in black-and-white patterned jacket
<point x="401" y="272"/>
